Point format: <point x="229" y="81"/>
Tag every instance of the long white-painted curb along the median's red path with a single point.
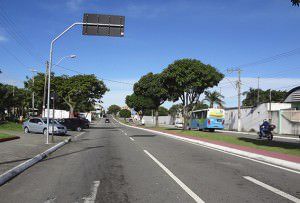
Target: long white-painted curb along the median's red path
<point x="283" y="164"/>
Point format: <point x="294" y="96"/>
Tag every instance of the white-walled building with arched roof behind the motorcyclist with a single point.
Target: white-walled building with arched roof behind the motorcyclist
<point x="285" y="115"/>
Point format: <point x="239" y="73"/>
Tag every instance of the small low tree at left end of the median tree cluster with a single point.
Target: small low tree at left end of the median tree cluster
<point x="139" y="103"/>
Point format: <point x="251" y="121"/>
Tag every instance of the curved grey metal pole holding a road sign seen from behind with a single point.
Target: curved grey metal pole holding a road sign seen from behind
<point x="93" y="24"/>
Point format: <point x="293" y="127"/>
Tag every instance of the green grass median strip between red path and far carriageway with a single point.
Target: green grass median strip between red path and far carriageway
<point x="273" y="146"/>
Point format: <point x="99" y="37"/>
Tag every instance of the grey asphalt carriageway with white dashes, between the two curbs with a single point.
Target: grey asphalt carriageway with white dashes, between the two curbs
<point x="113" y="163"/>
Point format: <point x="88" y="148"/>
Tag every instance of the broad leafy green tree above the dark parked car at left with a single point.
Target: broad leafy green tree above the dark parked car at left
<point x="79" y="90"/>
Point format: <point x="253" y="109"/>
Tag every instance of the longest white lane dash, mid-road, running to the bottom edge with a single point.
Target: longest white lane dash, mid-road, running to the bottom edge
<point x="179" y="182"/>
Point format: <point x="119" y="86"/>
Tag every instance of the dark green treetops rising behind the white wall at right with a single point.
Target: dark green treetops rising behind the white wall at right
<point x="264" y="96"/>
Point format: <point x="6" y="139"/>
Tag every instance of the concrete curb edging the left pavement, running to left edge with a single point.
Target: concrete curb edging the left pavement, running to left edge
<point x="8" y="175"/>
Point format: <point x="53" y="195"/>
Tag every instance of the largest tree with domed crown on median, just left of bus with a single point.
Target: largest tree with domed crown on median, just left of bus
<point x="186" y="80"/>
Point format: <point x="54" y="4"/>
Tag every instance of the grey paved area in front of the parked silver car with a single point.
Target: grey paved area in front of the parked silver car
<point x="14" y="152"/>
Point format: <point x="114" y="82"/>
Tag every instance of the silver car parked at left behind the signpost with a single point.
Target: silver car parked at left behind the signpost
<point x="39" y="125"/>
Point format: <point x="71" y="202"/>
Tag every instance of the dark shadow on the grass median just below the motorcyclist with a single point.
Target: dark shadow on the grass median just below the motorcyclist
<point x="272" y="143"/>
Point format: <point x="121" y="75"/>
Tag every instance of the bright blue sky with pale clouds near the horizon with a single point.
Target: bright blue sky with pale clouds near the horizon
<point x="224" y="35"/>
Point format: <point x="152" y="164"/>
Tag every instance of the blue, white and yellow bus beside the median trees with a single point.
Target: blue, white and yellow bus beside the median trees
<point x="207" y="119"/>
